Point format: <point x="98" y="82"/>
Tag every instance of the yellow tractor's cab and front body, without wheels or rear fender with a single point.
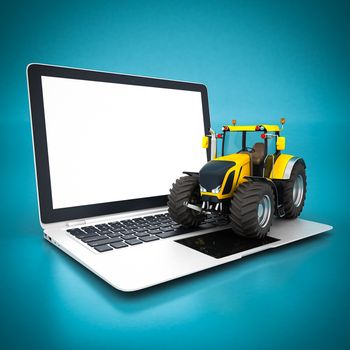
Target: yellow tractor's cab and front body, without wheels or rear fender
<point x="246" y="151"/>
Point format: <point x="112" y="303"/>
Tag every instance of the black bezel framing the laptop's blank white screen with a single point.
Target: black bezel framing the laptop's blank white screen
<point x="47" y="213"/>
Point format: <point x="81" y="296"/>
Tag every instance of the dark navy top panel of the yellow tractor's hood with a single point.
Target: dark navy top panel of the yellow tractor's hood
<point x="212" y="174"/>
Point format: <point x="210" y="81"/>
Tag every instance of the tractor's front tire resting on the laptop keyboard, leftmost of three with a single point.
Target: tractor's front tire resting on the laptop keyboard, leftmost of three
<point x="185" y="189"/>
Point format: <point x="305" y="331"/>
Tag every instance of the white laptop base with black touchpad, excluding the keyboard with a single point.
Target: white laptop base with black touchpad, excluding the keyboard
<point x="138" y="267"/>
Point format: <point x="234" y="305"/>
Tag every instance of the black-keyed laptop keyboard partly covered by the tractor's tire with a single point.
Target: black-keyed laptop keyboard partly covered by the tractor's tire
<point x="126" y="233"/>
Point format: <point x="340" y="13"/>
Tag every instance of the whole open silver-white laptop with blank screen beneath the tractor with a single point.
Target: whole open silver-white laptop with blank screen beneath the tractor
<point x="107" y="148"/>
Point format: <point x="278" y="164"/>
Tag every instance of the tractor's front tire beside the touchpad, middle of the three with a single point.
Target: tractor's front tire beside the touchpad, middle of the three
<point x="245" y="209"/>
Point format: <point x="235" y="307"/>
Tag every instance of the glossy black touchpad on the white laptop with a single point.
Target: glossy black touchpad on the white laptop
<point x="223" y="243"/>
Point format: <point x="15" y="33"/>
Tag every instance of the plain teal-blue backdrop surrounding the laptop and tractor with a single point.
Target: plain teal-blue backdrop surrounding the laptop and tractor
<point x="261" y="60"/>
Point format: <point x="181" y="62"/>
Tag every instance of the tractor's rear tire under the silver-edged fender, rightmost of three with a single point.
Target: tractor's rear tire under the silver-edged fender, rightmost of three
<point x="294" y="204"/>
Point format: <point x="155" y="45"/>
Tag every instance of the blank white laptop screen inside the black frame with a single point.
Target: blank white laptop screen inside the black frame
<point x="109" y="142"/>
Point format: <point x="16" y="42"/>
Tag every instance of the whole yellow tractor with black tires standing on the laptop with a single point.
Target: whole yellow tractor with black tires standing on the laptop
<point x="250" y="185"/>
